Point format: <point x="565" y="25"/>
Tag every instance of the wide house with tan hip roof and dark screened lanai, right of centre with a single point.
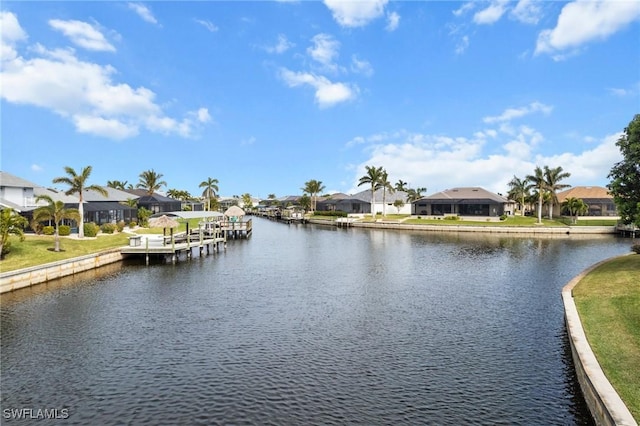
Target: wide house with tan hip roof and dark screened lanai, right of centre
<point x="467" y="201"/>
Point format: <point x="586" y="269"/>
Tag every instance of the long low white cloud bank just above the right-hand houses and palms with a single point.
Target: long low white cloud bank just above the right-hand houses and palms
<point x="441" y="162"/>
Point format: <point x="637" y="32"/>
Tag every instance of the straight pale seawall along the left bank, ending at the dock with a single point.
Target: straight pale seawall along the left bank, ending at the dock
<point x="21" y="278"/>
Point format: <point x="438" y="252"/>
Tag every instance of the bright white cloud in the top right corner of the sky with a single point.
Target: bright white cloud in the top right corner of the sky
<point x="581" y="22"/>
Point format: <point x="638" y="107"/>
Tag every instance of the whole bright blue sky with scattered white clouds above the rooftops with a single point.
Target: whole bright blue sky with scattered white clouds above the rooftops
<point x="264" y="96"/>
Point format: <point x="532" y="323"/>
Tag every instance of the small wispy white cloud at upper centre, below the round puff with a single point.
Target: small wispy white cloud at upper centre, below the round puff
<point x="327" y="93"/>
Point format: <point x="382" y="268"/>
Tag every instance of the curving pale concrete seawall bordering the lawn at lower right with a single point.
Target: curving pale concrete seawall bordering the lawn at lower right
<point x="606" y="406"/>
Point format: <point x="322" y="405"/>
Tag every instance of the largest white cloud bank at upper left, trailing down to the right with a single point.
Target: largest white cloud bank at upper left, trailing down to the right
<point x="85" y="93"/>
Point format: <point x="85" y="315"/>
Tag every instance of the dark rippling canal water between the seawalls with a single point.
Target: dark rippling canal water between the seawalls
<point x="308" y="325"/>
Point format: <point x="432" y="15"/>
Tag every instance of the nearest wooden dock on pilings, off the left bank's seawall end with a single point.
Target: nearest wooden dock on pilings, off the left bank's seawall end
<point x="172" y="246"/>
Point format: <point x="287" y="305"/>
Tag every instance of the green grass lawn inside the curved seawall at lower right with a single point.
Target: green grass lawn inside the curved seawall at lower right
<point x="608" y="301"/>
